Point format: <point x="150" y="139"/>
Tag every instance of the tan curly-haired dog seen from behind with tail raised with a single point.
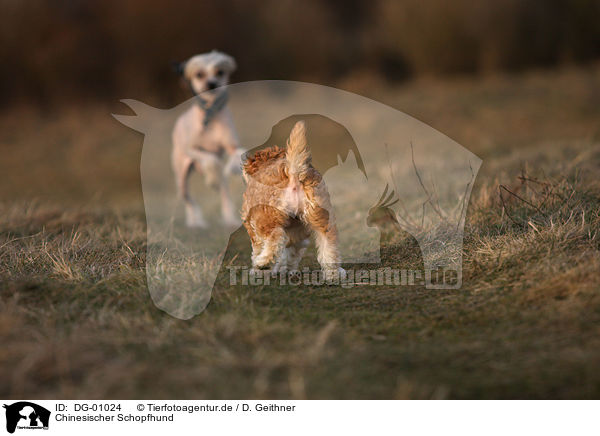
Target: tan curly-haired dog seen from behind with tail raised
<point x="285" y="201"/>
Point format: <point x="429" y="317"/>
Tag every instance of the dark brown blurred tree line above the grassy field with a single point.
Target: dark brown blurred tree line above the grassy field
<point x="73" y="50"/>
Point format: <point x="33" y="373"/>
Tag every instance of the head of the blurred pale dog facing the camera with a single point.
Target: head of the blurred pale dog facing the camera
<point x="208" y="72"/>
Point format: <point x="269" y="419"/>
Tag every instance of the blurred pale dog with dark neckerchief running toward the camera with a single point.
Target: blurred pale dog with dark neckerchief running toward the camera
<point x="204" y="136"/>
